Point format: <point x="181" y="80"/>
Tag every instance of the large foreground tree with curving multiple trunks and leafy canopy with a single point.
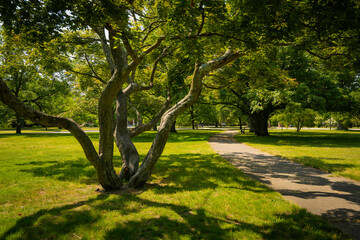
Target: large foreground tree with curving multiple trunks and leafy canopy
<point x="132" y="36"/>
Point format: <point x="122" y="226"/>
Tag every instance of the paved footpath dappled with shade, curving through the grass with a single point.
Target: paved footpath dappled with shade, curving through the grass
<point x="335" y="198"/>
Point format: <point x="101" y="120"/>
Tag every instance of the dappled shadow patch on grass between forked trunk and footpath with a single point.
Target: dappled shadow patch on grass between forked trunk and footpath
<point x="191" y="172"/>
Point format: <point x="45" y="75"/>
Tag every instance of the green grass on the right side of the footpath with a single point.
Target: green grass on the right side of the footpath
<point x="337" y="152"/>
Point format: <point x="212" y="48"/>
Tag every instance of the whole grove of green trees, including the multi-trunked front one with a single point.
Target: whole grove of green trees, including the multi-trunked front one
<point x="108" y="61"/>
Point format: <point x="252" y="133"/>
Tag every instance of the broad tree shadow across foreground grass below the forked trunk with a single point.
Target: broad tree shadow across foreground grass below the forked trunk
<point x="199" y="223"/>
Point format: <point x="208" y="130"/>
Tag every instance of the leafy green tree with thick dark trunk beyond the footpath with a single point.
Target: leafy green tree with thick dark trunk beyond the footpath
<point x="256" y="85"/>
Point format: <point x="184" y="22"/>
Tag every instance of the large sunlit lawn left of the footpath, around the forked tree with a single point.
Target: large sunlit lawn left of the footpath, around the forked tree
<point x="48" y="191"/>
